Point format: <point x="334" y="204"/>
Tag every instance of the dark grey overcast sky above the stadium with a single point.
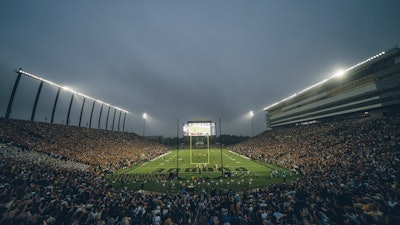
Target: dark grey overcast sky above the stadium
<point x="185" y="60"/>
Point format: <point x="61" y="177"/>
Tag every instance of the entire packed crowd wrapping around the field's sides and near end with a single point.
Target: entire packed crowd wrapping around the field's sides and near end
<point x="49" y="174"/>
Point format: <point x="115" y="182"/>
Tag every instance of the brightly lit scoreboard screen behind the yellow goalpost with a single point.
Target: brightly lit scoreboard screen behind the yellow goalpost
<point x="199" y="128"/>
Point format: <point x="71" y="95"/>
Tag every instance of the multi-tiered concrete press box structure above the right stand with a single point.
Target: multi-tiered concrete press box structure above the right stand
<point x="370" y="88"/>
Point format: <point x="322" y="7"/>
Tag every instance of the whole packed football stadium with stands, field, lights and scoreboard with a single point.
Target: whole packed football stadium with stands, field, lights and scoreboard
<point x="329" y="155"/>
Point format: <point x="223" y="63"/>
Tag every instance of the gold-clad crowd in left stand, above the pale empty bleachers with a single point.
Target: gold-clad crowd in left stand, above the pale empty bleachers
<point x="105" y="149"/>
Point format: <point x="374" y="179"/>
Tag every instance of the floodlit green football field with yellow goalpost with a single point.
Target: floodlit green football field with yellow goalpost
<point x="199" y="169"/>
